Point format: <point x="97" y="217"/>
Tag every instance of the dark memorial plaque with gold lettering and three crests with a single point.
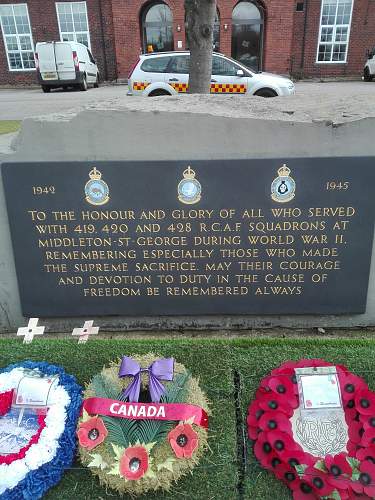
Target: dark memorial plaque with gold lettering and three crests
<point x="273" y="236"/>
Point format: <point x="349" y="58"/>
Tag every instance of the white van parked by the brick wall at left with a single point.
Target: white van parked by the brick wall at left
<point x="65" y="64"/>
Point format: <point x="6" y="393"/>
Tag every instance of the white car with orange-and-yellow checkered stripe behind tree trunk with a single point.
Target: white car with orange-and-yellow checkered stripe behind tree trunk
<point x="167" y="73"/>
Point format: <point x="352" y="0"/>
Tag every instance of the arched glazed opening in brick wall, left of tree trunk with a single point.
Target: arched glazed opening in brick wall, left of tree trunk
<point x="157" y="28"/>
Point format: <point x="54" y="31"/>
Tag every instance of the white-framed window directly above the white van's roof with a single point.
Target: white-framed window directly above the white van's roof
<point x="73" y="23"/>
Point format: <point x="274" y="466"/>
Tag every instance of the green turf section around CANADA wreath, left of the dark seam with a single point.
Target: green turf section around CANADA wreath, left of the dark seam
<point x="216" y="475"/>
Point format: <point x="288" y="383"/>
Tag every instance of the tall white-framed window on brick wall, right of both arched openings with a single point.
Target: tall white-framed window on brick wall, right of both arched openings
<point x="334" y="30"/>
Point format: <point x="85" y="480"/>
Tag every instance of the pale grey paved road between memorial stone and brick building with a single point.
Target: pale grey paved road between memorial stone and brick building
<point x="18" y="104"/>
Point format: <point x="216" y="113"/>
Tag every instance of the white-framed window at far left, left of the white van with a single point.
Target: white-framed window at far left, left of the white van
<point x="15" y="25"/>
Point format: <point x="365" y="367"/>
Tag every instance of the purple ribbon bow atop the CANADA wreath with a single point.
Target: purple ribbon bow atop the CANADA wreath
<point x="161" y="369"/>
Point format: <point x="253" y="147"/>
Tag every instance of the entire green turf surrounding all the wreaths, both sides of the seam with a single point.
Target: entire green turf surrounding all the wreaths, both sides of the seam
<point x="217" y="363"/>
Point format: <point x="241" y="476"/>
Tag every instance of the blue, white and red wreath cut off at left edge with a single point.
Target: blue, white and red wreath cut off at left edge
<point x="37" y="443"/>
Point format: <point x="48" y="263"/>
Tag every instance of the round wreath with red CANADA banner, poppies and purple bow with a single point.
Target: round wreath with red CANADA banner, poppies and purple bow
<point x="144" y="424"/>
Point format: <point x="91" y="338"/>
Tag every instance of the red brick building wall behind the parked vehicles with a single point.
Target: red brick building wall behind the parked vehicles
<point x="289" y="43"/>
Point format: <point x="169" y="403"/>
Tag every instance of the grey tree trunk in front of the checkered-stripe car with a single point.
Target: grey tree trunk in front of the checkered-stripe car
<point x="200" y="17"/>
